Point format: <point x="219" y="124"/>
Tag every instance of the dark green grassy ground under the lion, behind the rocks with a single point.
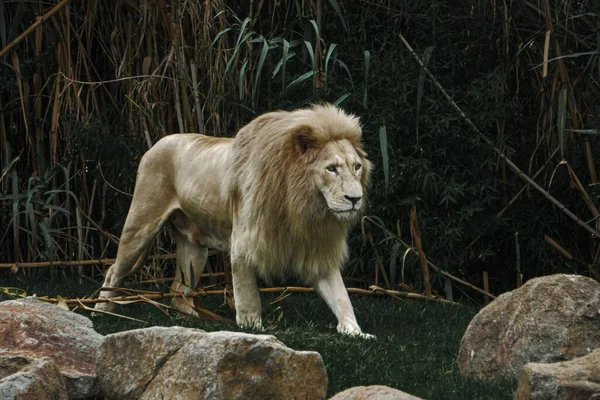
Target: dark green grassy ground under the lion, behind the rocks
<point x="415" y="350"/>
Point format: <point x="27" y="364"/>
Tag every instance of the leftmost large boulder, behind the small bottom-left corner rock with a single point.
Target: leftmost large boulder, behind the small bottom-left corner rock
<point x="32" y="330"/>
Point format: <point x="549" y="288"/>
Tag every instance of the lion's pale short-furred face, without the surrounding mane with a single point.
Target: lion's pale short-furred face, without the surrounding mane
<point x="337" y="172"/>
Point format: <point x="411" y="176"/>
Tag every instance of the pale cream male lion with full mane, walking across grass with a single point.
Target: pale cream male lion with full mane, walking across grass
<point x="279" y="197"/>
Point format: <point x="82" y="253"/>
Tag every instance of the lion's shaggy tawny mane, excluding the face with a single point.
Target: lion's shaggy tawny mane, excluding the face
<point x="284" y="218"/>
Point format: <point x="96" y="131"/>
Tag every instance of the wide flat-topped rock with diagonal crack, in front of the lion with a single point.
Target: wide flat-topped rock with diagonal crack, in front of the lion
<point x="183" y="363"/>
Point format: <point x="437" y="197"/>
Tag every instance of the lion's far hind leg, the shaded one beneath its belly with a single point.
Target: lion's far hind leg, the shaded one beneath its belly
<point x="191" y="259"/>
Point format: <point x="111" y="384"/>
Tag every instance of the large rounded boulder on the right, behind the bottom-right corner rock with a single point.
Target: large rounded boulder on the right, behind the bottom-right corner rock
<point x="549" y="319"/>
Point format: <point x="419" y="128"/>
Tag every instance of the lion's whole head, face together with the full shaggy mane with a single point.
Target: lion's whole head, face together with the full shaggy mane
<point x="297" y="182"/>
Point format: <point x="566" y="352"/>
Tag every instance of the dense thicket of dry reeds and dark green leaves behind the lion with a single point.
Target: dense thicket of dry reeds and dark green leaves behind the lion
<point x="88" y="91"/>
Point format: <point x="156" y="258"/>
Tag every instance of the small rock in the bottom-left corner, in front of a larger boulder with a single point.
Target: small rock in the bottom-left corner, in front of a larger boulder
<point x="32" y="379"/>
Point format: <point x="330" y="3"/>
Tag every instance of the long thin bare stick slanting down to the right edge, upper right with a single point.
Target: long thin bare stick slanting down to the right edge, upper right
<point x="503" y="156"/>
